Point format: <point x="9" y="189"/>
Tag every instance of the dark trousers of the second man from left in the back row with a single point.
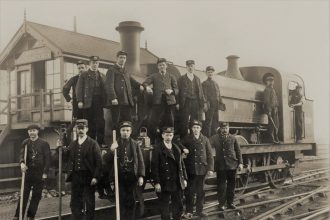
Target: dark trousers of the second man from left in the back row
<point x="95" y="118"/>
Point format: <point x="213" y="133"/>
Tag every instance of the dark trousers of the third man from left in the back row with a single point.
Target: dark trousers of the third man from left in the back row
<point x="120" y="113"/>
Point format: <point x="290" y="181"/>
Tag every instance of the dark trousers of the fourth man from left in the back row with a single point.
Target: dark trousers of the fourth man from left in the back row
<point x="161" y="115"/>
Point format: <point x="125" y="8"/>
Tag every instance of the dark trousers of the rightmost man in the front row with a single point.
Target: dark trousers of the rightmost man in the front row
<point x="226" y="186"/>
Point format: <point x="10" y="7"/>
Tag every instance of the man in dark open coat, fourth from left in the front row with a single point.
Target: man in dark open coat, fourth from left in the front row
<point x="169" y="175"/>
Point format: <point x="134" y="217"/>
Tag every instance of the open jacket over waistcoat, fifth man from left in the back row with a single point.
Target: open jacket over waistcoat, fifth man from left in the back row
<point x="183" y="89"/>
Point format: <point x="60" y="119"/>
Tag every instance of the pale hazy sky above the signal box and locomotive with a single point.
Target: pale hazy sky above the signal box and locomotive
<point x="291" y="36"/>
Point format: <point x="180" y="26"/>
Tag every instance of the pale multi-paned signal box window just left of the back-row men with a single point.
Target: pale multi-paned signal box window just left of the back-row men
<point x="53" y="80"/>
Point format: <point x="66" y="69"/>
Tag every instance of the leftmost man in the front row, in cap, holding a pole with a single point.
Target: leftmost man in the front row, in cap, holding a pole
<point x="36" y="168"/>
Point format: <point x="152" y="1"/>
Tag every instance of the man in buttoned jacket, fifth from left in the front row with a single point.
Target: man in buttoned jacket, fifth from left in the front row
<point x="199" y="162"/>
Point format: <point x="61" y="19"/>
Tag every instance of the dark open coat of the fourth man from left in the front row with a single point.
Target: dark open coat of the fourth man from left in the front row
<point x="159" y="166"/>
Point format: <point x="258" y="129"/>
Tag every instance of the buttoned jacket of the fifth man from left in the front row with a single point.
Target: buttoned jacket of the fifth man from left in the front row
<point x="200" y="158"/>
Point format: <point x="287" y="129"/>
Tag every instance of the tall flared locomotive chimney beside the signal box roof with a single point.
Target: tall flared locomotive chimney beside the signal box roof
<point x="130" y="42"/>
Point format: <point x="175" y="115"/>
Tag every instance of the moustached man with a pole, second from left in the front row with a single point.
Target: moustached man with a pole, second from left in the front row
<point x="83" y="158"/>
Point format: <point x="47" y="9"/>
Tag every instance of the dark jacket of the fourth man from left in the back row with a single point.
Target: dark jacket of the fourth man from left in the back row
<point x="160" y="84"/>
